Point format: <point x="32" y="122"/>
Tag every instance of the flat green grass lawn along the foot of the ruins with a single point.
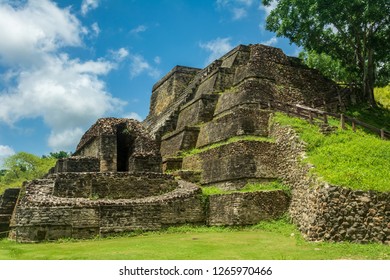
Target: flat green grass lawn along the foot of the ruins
<point x="269" y="240"/>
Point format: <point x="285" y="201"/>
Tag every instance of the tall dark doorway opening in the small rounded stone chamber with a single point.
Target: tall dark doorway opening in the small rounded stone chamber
<point x="125" y="143"/>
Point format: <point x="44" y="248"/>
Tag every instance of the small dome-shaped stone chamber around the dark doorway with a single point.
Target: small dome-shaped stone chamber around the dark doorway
<point x="120" y="145"/>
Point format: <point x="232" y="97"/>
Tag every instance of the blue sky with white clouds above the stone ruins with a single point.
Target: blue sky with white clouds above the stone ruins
<point x="64" y="64"/>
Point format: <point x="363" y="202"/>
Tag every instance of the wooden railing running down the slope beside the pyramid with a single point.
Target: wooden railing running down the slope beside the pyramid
<point x="312" y="114"/>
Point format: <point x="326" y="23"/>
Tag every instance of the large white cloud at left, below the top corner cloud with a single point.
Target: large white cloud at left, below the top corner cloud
<point x="65" y="93"/>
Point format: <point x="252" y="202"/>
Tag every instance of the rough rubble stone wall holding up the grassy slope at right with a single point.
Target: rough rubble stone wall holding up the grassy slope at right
<point x="324" y="212"/>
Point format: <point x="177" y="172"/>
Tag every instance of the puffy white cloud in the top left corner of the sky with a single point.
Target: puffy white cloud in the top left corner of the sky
<point x="34" y="29"/>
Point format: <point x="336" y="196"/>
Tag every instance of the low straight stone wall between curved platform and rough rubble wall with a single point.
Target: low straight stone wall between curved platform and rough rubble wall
<point x="246" y="208"/>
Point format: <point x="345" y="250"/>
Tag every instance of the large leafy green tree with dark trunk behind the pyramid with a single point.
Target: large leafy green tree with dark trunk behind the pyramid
<point x="356" y="32"/>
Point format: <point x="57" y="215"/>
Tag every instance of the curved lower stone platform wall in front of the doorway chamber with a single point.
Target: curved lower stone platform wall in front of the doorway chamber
<point x="41" y="216"/>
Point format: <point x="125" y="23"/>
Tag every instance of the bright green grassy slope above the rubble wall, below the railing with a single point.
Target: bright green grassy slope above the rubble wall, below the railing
<point x="357" y="160"/>
